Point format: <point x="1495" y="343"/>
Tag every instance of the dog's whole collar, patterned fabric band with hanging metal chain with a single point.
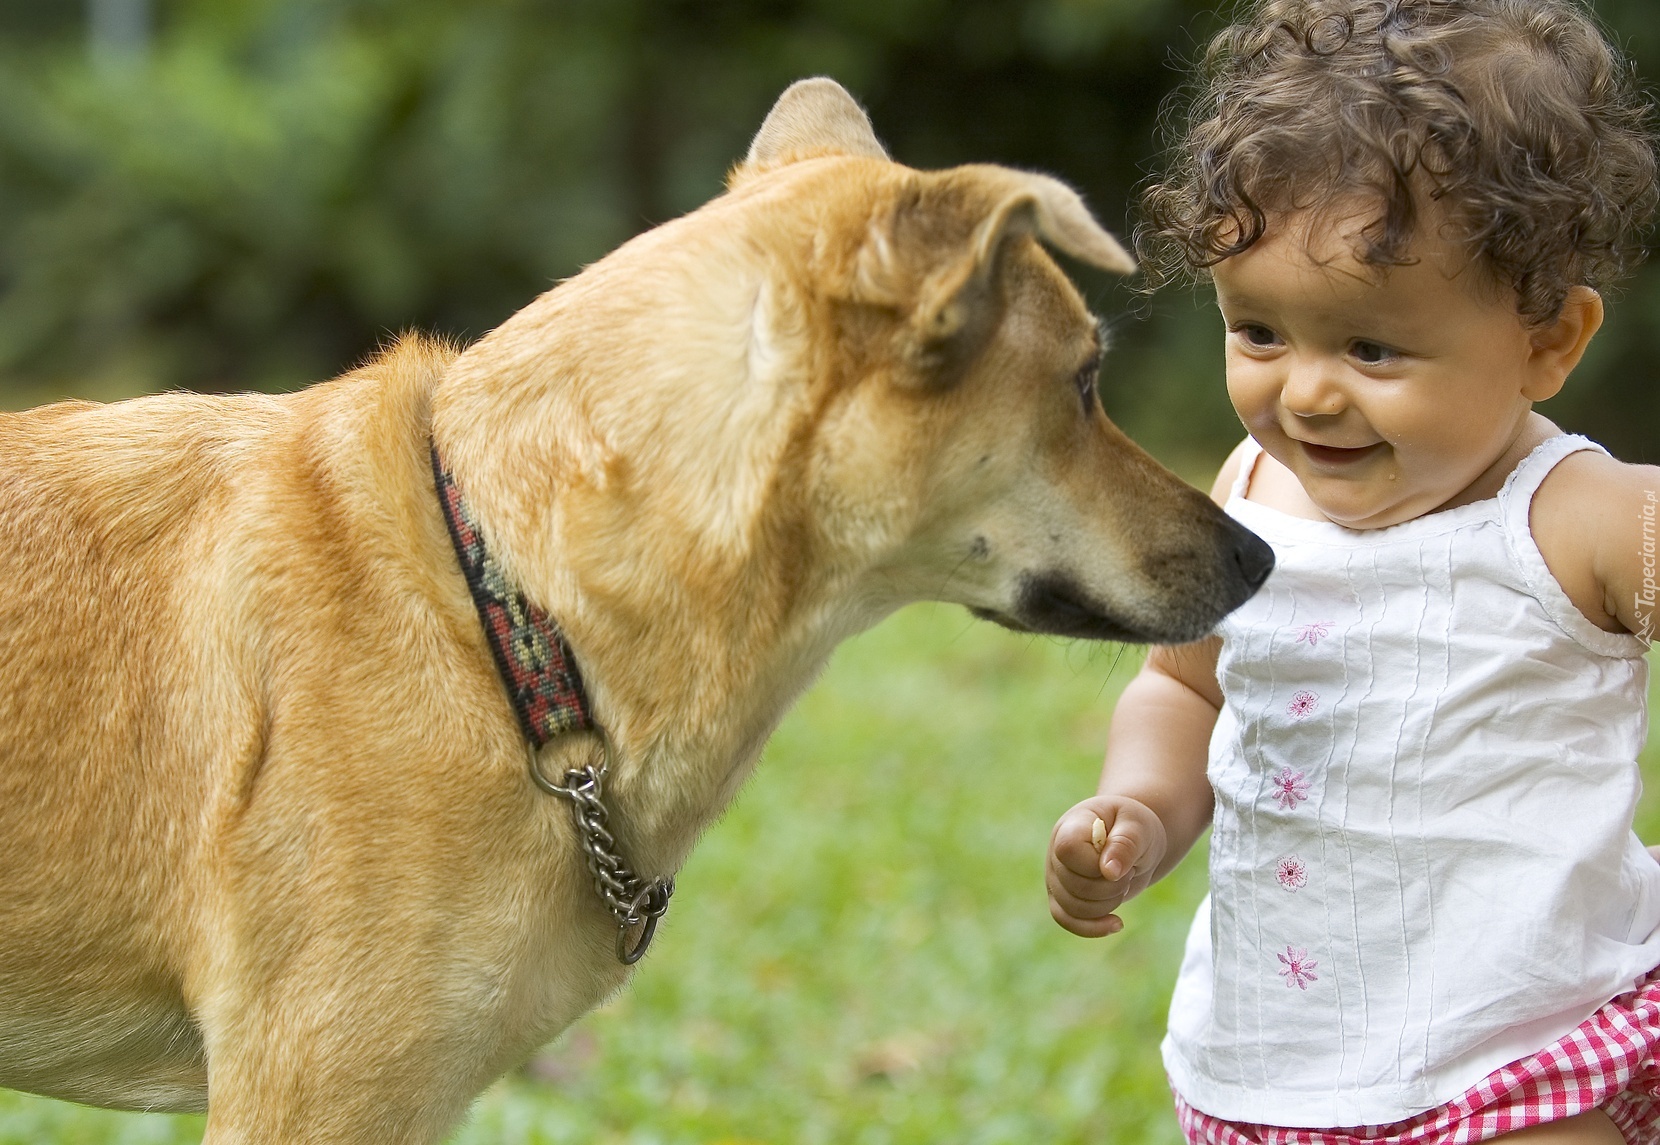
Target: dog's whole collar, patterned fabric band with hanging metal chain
<point x="549" y="699"/>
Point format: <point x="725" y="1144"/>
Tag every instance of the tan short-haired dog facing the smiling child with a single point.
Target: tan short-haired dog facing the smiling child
<point x="270" y="844"/>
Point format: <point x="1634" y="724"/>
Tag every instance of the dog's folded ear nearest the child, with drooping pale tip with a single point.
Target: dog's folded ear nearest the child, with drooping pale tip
<point x="960" y="305"/>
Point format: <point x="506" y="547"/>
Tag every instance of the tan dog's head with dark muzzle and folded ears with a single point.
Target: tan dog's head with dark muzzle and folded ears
<point x="970" y="426"/>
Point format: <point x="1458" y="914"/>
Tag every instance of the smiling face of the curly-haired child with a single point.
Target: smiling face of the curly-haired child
<point x="1387" y="392"/>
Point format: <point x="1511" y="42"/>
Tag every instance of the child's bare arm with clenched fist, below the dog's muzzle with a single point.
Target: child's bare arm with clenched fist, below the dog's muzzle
<point x="1155" y="801"/>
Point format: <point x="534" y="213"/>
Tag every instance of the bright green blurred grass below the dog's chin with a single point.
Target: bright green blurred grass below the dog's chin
<point x="861" y="952"/>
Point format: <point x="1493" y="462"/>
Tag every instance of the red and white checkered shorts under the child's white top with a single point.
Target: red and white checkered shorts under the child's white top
<point x="1611" y="1061"/>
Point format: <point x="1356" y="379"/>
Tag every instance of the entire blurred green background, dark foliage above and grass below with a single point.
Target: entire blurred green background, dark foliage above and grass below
<point x="256" y="193"/>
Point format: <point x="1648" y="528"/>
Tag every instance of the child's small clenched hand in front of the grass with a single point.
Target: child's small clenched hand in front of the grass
<point x="1086" y="880"/>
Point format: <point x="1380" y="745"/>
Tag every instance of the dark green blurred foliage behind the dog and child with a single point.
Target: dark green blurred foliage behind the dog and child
<point x="275" y="187"/>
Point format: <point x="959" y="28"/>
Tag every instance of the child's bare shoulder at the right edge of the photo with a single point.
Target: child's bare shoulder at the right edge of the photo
<point x="1594" y="520"/>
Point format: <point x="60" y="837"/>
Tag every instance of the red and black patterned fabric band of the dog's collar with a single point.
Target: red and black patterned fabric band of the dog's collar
<point x="535" y="663"/>
